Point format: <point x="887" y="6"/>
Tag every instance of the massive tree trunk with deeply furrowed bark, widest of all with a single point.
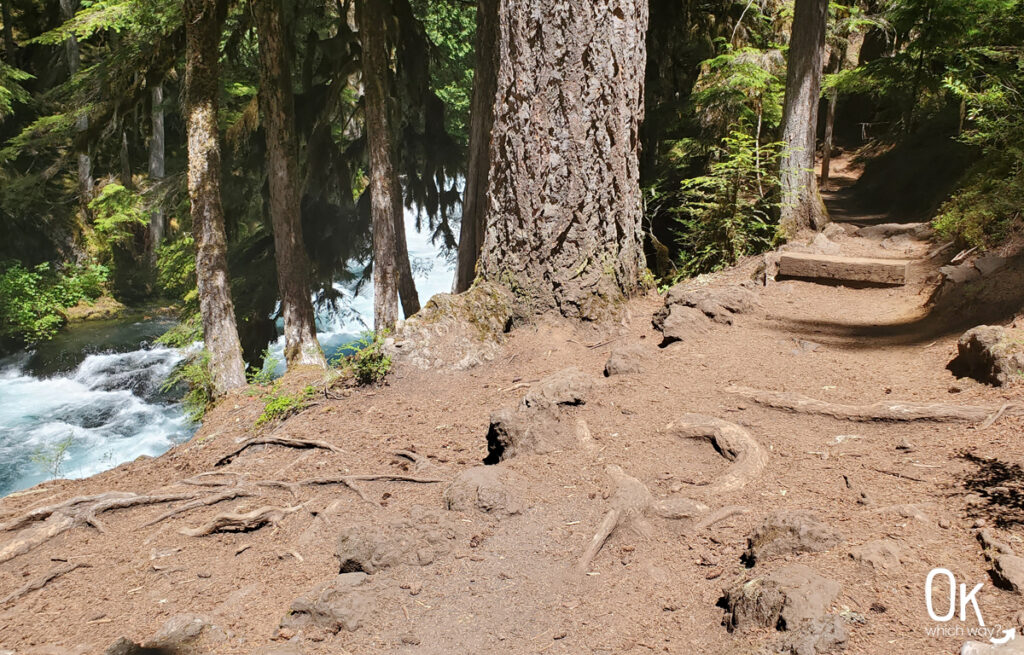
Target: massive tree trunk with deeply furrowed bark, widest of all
<point x="564" y="226"/>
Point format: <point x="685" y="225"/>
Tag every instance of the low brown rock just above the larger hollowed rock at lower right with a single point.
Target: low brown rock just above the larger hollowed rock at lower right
<point x="790" y="534"/>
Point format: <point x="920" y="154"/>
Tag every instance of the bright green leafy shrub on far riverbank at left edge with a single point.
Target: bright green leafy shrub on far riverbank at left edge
<point x="33" y="300"/>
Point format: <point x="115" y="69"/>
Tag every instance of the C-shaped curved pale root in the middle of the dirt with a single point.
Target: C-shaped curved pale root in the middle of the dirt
<point x="736" y="445"/>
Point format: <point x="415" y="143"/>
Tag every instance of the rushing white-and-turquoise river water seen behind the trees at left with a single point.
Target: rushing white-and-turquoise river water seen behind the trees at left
<point x="93" y="399"/>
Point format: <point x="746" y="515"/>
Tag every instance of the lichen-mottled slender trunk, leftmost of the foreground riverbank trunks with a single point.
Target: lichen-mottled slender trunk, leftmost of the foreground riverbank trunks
<point x="220" y="330"/>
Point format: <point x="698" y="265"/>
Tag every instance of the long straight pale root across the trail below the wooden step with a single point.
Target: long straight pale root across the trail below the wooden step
<point x="886" y="411"/>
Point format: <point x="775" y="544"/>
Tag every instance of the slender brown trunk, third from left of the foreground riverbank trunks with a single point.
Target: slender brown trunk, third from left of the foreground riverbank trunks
<point x="375" y="64"/>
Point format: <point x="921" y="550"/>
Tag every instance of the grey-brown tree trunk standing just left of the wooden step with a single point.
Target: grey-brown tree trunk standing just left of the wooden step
<point x="802" y="206"/>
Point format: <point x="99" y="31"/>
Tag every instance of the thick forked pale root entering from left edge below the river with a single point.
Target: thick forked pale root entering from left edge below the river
<point x="80" y="511"/>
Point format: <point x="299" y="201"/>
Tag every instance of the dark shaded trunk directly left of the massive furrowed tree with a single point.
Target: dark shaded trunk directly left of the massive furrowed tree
<point x="482" y="119"/>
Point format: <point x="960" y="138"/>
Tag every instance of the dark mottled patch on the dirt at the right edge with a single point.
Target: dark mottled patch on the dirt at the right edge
<point x="1001" y="485"/>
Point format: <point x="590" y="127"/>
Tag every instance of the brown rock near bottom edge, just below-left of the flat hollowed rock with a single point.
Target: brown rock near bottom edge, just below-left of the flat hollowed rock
<point x="337" y="604"/>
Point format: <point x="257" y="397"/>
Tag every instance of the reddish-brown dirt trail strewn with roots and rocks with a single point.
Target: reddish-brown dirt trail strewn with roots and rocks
<point x="511" y="580"/>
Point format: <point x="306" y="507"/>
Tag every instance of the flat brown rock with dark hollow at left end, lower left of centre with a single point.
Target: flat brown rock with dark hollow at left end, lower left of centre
<point x="368" y="548"/>
